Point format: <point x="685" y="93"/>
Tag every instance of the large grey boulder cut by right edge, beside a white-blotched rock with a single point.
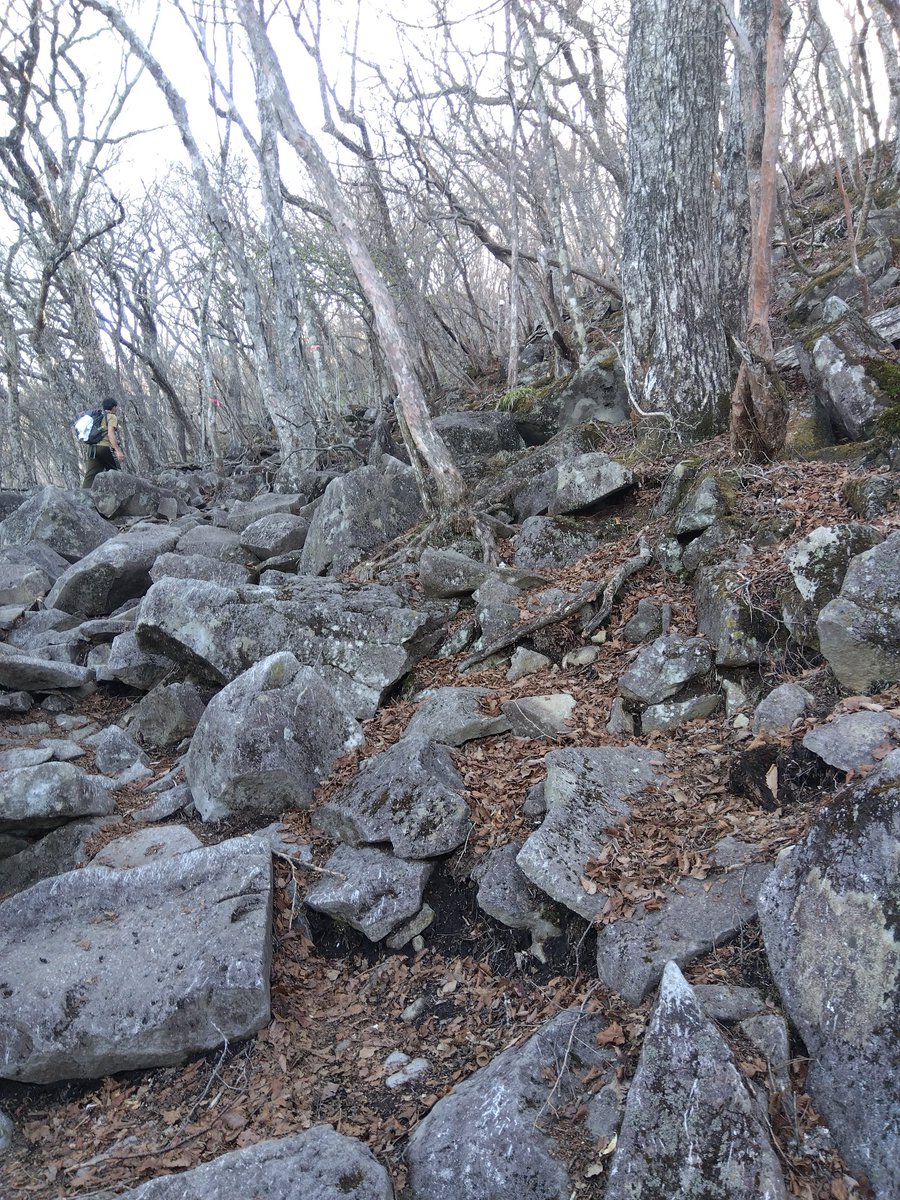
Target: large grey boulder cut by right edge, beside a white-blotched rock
<point x="860" y="631"/>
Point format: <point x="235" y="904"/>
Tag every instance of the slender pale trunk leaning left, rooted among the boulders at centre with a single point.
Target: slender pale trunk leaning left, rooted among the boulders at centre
<point x="401" y="359"/>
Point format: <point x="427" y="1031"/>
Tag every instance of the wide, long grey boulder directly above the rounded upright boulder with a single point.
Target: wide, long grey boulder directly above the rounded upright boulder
<point x="362" y="641"/>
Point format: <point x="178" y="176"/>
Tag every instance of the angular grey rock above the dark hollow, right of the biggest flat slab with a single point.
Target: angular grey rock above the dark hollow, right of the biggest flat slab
<point x="374" y="892"/>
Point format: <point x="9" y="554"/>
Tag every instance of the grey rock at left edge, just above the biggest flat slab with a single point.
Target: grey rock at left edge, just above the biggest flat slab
<point x="47" y="795"/>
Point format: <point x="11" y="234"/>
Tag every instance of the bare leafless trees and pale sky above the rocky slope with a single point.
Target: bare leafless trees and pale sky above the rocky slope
<point x="250" y="221"/>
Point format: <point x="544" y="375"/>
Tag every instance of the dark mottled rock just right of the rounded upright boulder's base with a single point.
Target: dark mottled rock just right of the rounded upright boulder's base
<point x="411" y="796"/>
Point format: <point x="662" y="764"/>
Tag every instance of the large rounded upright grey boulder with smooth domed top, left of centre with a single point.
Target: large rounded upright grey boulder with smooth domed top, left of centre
<point x="267" y="740"/>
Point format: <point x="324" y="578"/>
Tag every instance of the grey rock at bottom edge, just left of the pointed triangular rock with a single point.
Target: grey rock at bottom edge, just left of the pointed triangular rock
<point x="487" y="1139"/>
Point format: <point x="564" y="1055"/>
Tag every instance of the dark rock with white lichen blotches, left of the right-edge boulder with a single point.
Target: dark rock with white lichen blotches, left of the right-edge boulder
<point x="818" y="565"/>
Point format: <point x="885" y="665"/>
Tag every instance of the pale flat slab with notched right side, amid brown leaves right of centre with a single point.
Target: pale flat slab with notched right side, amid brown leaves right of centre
<point x="586" y="791"/>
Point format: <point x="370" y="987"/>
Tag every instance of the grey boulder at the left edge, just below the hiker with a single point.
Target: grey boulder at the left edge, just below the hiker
<point x="67" y="521"/>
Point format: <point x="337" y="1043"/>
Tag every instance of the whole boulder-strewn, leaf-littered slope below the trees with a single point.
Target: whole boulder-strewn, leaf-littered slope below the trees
<point x="274" y="863"/>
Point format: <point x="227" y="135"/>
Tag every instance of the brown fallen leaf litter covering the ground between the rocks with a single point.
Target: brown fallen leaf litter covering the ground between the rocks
<point x="339" y="1003"/>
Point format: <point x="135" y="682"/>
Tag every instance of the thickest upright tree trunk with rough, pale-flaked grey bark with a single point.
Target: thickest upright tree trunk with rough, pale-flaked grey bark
<point x="676" y="357"/>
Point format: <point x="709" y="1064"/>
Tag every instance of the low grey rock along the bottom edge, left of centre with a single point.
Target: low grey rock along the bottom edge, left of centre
<point x="320" y="1165"/>
